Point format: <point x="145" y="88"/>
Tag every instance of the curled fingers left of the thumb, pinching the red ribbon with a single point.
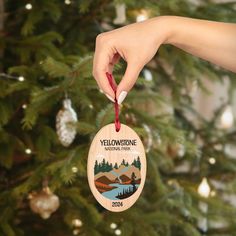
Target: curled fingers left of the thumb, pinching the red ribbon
<point x="104" y="59"/>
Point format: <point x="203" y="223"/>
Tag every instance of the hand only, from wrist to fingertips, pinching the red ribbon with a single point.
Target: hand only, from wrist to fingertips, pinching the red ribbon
<point x="136" y="44"/>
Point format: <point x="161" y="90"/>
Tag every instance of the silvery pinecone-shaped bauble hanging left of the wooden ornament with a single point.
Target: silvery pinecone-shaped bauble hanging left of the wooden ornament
<point x="65" y="123"/>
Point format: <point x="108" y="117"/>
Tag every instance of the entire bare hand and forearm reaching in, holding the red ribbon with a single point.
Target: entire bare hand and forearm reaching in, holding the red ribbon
<point x="138" y="43"/>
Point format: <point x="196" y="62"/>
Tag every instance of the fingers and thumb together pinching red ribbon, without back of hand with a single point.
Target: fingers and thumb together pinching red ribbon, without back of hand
<point x="105" y="58"/>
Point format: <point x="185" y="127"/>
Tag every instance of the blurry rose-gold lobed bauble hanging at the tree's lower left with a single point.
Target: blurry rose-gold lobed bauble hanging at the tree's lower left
<point x="44" y="202"/>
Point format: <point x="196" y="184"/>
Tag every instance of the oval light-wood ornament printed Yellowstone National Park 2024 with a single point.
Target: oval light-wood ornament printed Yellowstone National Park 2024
<point x="116" y="167"/>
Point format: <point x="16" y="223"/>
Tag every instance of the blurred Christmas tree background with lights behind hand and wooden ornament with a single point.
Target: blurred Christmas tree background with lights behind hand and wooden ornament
<point x="183" y="109"/>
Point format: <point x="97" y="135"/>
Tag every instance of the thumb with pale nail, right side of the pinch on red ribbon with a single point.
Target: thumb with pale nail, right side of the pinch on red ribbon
<point x="131" y="74"/>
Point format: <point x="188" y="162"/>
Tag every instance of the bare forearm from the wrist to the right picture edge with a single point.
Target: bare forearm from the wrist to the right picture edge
<point x="209" y="40"/>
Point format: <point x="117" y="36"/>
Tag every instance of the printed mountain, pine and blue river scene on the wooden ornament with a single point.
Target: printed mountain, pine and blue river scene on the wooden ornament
<point x="118" y="181"/>
